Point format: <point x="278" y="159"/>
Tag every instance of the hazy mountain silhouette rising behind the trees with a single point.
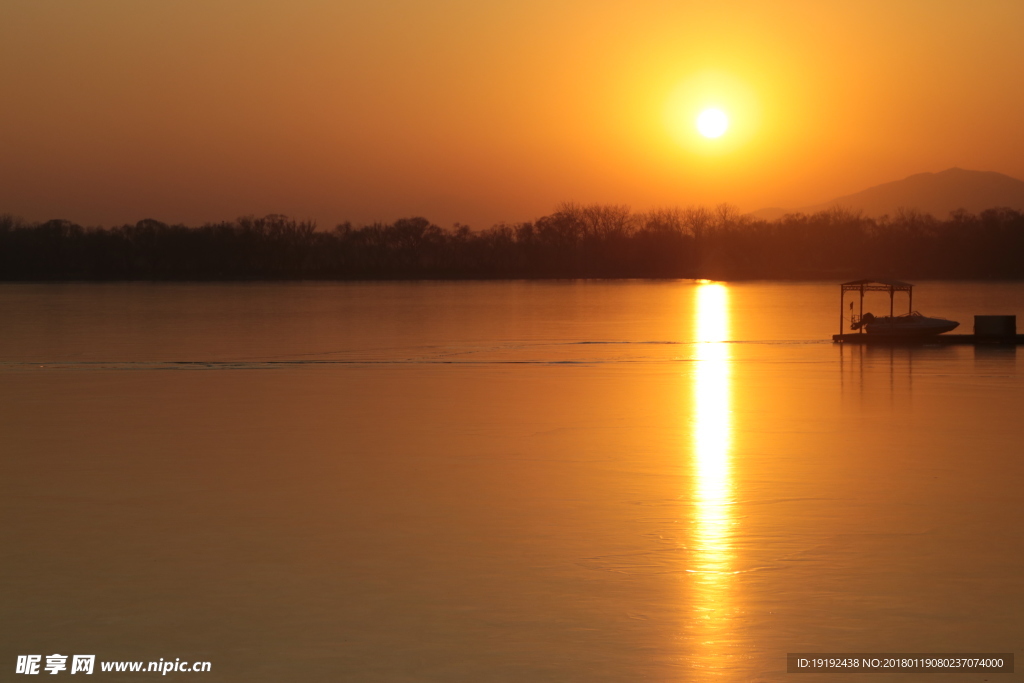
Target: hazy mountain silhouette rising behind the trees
<point x="937" y="194"/>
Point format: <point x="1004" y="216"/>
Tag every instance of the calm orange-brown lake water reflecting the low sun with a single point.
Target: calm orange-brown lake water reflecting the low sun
<point x="503" y="482"/>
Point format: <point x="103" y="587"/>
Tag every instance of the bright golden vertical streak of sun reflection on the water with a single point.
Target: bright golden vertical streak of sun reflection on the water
<point x="712" y="496"/>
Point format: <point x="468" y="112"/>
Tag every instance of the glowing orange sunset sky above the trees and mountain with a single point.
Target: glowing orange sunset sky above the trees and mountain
<point x="484" y="112"/>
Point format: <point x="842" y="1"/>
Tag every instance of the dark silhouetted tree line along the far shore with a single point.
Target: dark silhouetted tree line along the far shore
<point x="576" y="241"/>
